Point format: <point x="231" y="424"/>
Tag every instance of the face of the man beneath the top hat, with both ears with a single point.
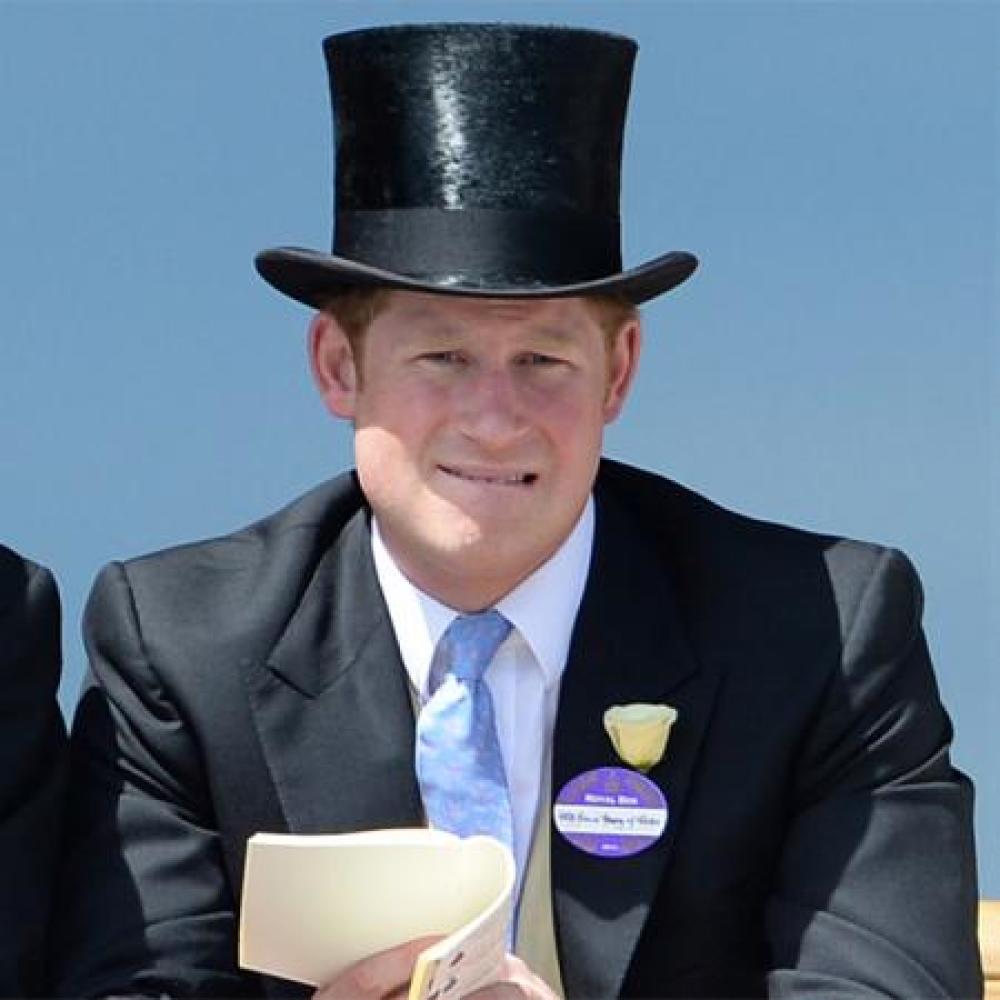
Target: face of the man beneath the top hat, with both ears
<point x="478" y="429"/>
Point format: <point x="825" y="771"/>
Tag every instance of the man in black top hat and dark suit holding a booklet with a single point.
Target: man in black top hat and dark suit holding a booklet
<point x="475" y="326"/>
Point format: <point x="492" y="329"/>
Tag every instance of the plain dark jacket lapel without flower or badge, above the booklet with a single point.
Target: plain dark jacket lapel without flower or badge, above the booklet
<point x="331" y="703"/>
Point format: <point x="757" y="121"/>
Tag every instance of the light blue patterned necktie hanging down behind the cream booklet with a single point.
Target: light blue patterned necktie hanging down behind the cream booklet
<point x="459" y="765"/>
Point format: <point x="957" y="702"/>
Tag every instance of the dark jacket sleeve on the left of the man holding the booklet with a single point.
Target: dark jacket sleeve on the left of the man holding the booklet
<point x="146" y="908"/>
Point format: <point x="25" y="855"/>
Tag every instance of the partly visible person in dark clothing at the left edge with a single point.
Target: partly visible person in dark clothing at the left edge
<point x="32" y="747"/>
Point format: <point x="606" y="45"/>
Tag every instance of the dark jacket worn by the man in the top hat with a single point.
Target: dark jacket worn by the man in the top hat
<point x="819" y="842"/>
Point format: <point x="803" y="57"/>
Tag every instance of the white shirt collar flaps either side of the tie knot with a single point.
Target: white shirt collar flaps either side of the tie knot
<point x="542" y="607"/>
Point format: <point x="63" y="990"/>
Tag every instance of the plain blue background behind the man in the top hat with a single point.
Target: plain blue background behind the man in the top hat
<point x="834" y="364"/>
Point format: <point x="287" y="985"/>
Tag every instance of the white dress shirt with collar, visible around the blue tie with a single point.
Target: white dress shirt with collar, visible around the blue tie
<point x="525" y="673"/>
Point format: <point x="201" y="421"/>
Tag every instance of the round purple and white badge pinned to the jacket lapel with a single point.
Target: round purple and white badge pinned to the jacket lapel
<point x="611" y="812"/>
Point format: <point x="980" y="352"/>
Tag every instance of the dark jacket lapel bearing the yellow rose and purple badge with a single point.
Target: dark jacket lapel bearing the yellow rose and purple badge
<point x="628" y="646"/>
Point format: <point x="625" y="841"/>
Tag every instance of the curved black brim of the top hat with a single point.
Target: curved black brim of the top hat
<point x="313" y="278"/>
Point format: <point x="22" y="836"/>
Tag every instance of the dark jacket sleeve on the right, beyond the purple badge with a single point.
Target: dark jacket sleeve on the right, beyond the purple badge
<point x="876" y="890"/>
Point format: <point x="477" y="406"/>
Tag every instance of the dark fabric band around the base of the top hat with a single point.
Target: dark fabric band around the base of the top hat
<point x="481" y="247"/>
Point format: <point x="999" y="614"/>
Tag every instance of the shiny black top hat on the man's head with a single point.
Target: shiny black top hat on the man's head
<point x="476" y="159"/>
